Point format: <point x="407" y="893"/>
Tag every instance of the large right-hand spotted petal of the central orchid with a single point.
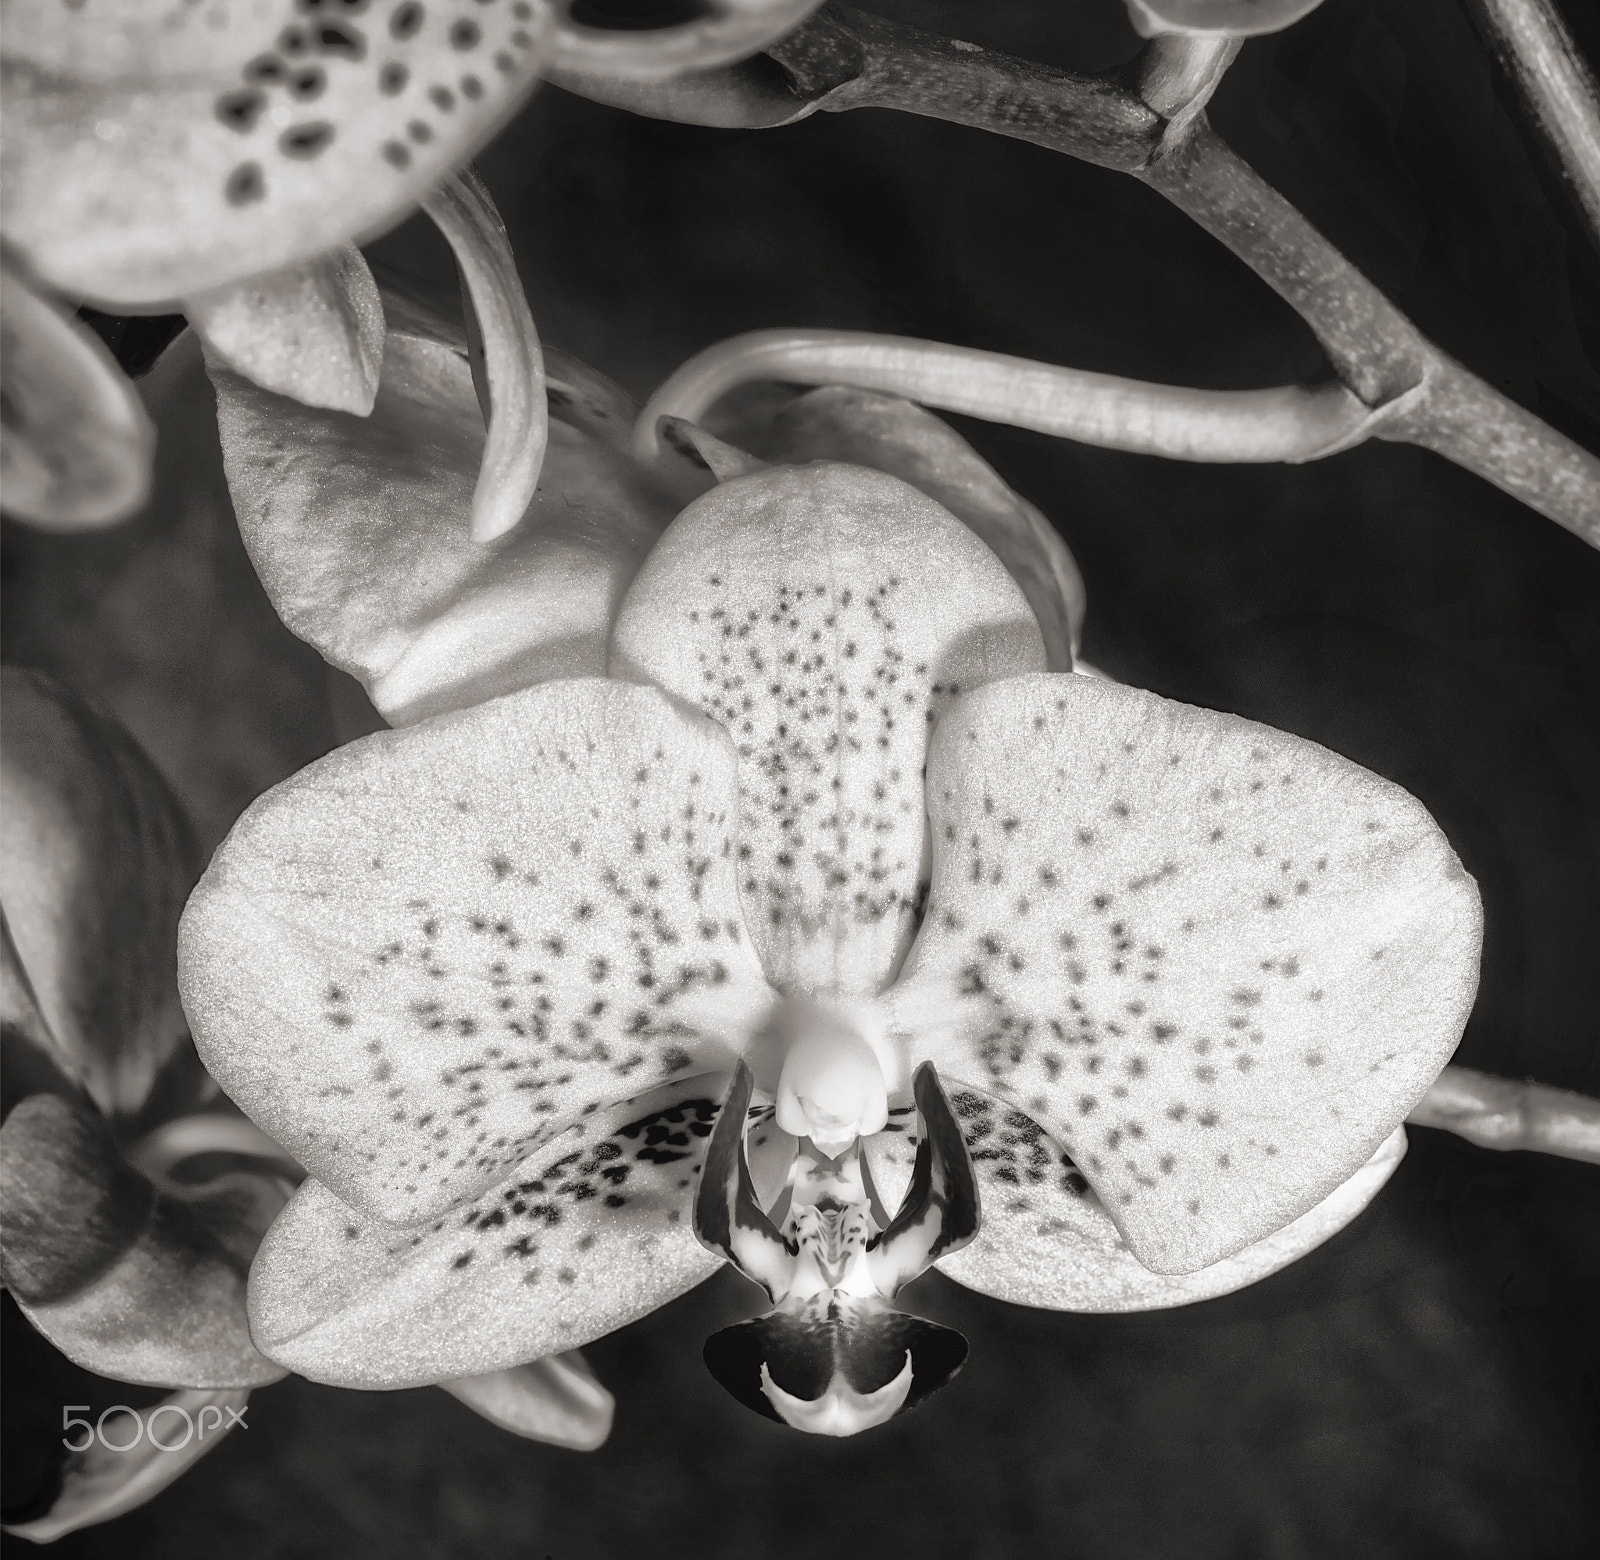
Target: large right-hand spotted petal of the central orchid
<point x="1217" y="962"/>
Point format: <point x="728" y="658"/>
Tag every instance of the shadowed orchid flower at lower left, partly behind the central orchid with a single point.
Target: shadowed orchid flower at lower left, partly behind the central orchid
<point x="135" y="1199"/>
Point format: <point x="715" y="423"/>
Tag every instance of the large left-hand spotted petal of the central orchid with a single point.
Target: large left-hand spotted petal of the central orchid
<point x="423" y="956"/>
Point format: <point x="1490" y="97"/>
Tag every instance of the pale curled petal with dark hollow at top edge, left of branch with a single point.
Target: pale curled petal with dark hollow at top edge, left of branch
<point x="702" y="36"/>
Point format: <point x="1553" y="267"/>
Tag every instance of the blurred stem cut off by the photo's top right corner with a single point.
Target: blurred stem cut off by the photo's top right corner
<point x="1556" y="86"/>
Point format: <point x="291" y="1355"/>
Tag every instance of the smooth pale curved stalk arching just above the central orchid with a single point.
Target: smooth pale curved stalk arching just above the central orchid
<point x="1295" y="423"/>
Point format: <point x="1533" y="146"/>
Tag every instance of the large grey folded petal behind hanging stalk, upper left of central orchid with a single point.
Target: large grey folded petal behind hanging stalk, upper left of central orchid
<point x="361" y="529"/>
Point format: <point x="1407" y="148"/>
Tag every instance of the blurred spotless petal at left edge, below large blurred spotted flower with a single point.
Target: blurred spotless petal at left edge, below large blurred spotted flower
<point x="74" y="441"/>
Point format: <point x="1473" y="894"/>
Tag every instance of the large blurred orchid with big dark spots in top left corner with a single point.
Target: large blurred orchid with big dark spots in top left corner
<point x="226" y="164"/>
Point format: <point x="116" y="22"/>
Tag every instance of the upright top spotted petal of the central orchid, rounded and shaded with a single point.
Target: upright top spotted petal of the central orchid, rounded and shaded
<point x="810" y="610"/>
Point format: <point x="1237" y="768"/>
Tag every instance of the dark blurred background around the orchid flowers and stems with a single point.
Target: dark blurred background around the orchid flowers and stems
<point x="1425" y="1385"/>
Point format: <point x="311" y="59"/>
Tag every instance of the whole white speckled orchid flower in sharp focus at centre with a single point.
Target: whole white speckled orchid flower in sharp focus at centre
<point x="828" y="820"/>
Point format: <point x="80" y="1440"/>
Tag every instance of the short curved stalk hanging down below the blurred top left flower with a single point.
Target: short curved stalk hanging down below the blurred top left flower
<point x="513" y="362"/>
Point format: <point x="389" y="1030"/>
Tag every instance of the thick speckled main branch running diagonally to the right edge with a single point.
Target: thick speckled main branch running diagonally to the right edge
<point x="1415" y="393"/>
